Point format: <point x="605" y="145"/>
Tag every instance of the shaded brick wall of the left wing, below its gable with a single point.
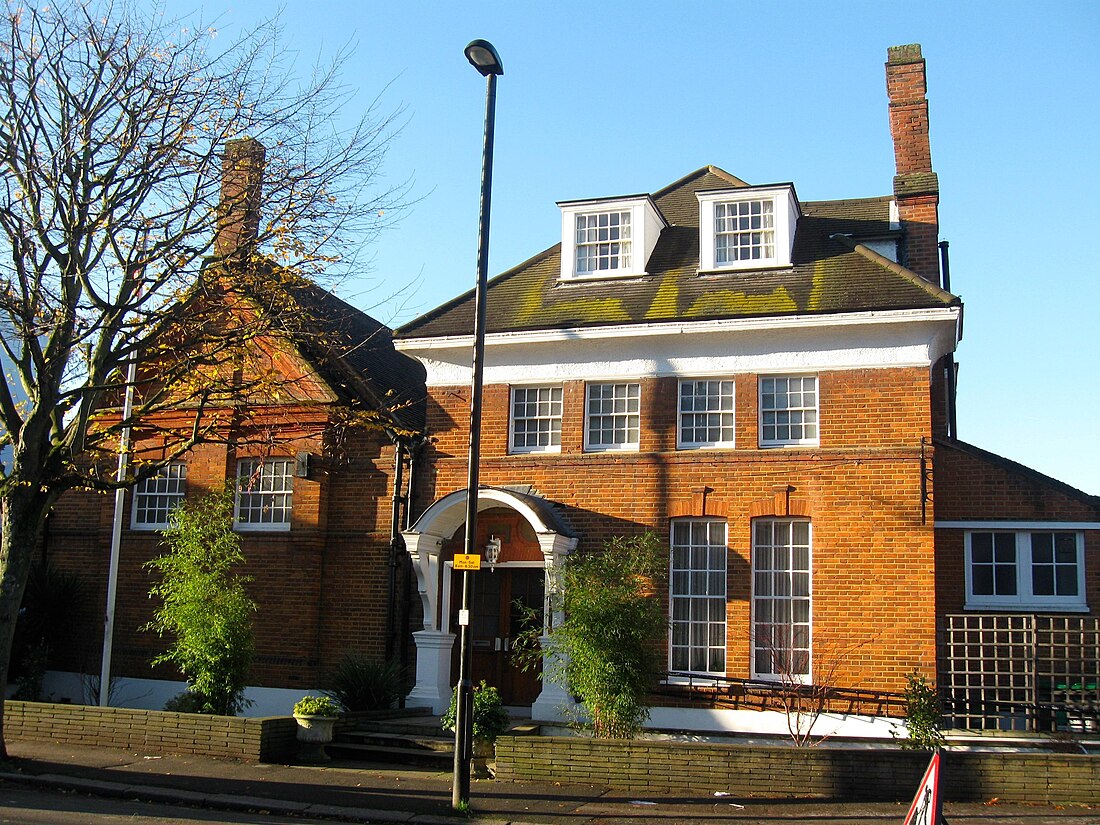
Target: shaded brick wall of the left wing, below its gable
<point x="322" y="588"/>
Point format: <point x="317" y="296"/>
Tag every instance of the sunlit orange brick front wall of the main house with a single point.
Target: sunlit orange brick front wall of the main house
<point x="861" y="489"/>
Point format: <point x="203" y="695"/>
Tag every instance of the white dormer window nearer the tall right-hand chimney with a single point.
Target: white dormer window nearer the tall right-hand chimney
<point x="747" y="228"/>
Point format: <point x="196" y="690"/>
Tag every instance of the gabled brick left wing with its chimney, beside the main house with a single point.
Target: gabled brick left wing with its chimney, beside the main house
<point x="320" y="455"/>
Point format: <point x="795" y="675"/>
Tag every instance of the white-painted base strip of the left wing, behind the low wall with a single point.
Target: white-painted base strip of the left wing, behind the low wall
<point x="150" y="695"/>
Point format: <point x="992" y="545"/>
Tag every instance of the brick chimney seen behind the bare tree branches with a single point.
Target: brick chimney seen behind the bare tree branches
<point x="243" y="174"/>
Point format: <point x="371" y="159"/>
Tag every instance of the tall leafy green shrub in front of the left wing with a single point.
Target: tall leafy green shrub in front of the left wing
<point x="205" y="608"/>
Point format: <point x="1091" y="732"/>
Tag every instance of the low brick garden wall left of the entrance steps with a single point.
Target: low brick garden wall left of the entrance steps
<point x="152" y="732"/>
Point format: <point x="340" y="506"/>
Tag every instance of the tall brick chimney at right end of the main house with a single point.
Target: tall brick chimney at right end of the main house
<point x="917" y="188"/>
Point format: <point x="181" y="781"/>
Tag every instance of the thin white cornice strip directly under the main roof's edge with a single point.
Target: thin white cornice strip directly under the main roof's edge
<point x="683" y="328"/>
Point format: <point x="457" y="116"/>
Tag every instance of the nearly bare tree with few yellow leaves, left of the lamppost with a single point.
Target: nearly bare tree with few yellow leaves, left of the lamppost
<point x="114" y="136"/>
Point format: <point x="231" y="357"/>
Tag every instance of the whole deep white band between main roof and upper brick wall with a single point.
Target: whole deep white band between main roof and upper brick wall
<point x="808" y="344"/>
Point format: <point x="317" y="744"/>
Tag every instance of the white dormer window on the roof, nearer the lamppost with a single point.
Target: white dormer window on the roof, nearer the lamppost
<point x="608" y="239"/>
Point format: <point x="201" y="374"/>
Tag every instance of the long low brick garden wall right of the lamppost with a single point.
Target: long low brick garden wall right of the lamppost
<point x="764" y="772"/>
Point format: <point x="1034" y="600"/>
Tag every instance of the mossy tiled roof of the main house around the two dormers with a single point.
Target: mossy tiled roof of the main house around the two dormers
<point x="828" y="276"/>
